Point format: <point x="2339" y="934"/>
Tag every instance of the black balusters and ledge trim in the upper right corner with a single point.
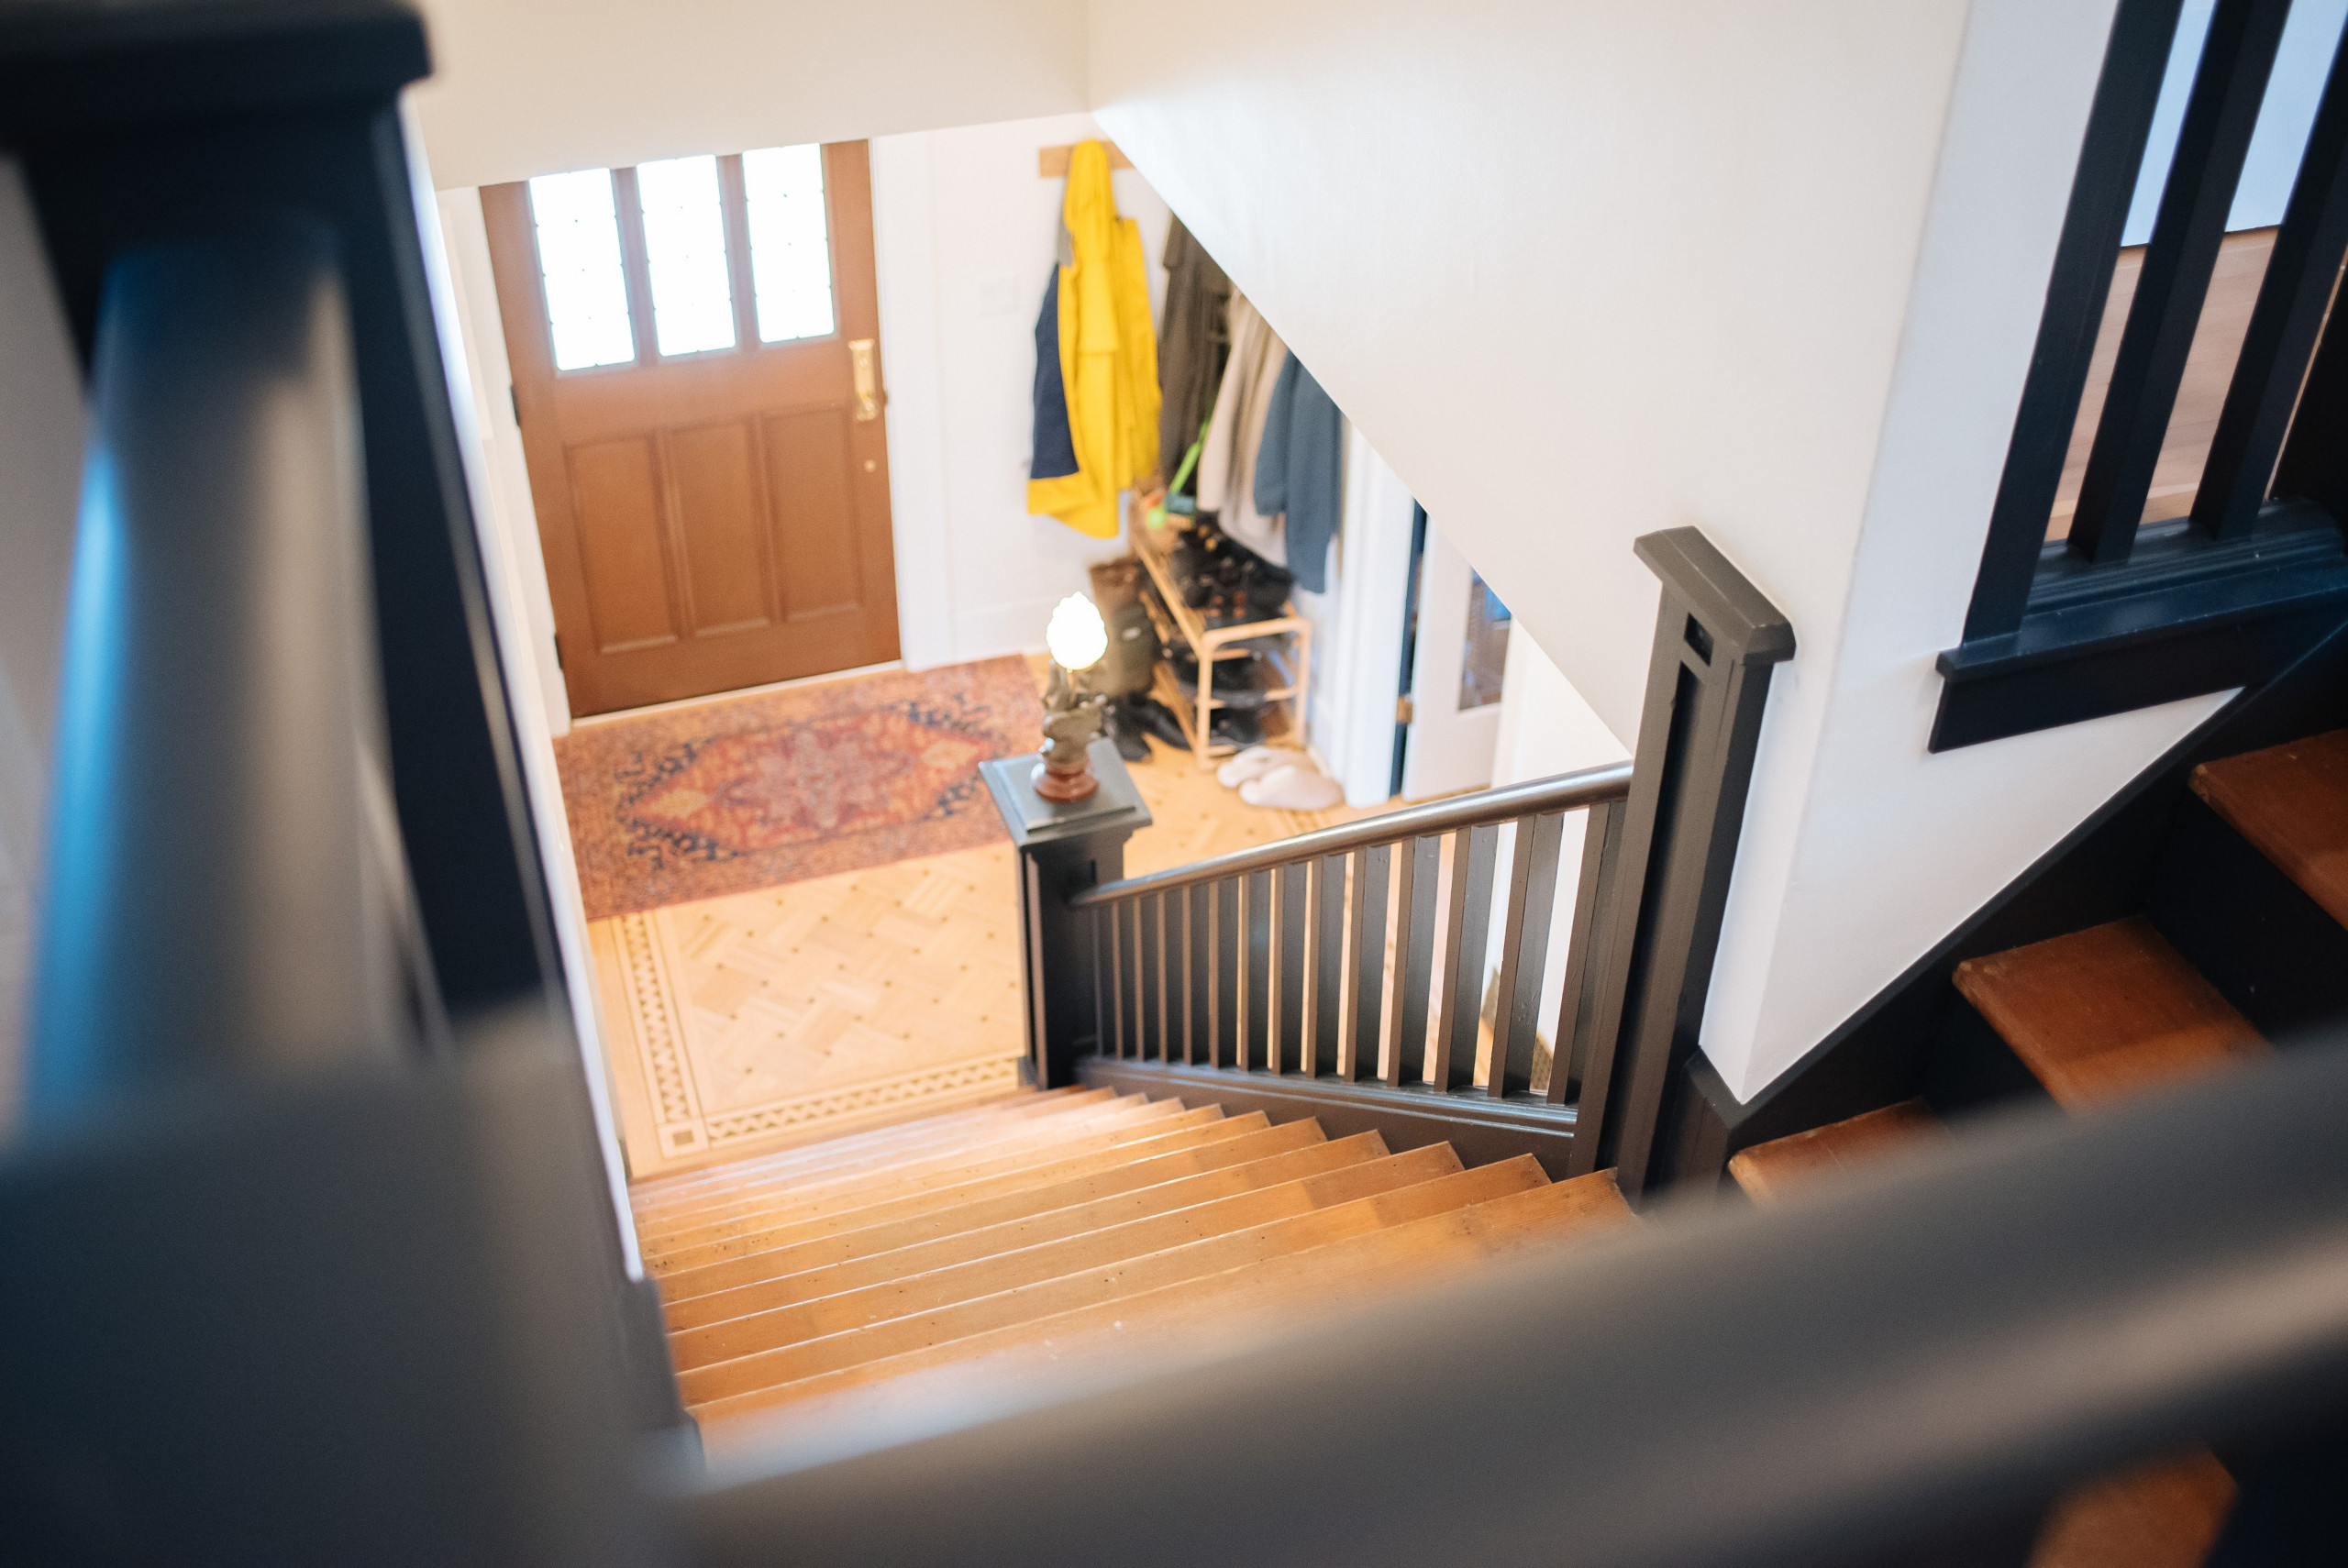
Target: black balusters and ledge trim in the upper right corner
<point x="2117" y="619"/>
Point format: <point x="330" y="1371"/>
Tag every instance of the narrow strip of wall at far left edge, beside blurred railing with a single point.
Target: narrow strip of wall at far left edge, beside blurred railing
<point x="41" y="468"/>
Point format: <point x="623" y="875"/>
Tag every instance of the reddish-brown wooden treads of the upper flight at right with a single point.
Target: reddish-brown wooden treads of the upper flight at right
<point x="2119" y="1008"/>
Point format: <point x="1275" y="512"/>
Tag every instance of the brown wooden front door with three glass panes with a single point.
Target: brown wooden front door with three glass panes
<point x="696" y="374"/>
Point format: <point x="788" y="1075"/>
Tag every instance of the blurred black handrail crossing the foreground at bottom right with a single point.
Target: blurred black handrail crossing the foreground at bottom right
<point x="1948" y="1339"/>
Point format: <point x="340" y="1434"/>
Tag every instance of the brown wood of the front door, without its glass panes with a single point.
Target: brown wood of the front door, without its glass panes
<point x="710" y="520"/>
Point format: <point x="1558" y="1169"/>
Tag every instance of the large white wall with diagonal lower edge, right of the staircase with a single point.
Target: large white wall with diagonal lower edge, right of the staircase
<point x="1584" y="271"/>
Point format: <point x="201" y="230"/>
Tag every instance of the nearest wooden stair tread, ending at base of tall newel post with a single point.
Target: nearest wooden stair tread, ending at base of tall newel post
<point x="1356" y="1271"/>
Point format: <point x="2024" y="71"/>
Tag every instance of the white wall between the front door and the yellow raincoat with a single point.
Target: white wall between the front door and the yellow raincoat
<point x="966" y="236"/>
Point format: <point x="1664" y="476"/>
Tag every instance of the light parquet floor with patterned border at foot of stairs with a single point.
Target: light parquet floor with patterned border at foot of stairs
<point x="774" y="1018"/>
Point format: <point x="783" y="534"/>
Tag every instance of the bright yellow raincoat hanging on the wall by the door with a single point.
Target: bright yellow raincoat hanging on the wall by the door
<point x="1107" y="356"/>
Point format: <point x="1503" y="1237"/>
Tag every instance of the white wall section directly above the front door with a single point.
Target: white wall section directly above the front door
<point x="539" y="86"/>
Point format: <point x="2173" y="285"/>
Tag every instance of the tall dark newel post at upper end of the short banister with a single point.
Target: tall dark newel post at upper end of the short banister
<point x="1668" y="884"/>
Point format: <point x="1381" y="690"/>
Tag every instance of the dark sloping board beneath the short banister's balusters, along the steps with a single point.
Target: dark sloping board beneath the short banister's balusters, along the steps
<point x="1478" y="1128"/>
